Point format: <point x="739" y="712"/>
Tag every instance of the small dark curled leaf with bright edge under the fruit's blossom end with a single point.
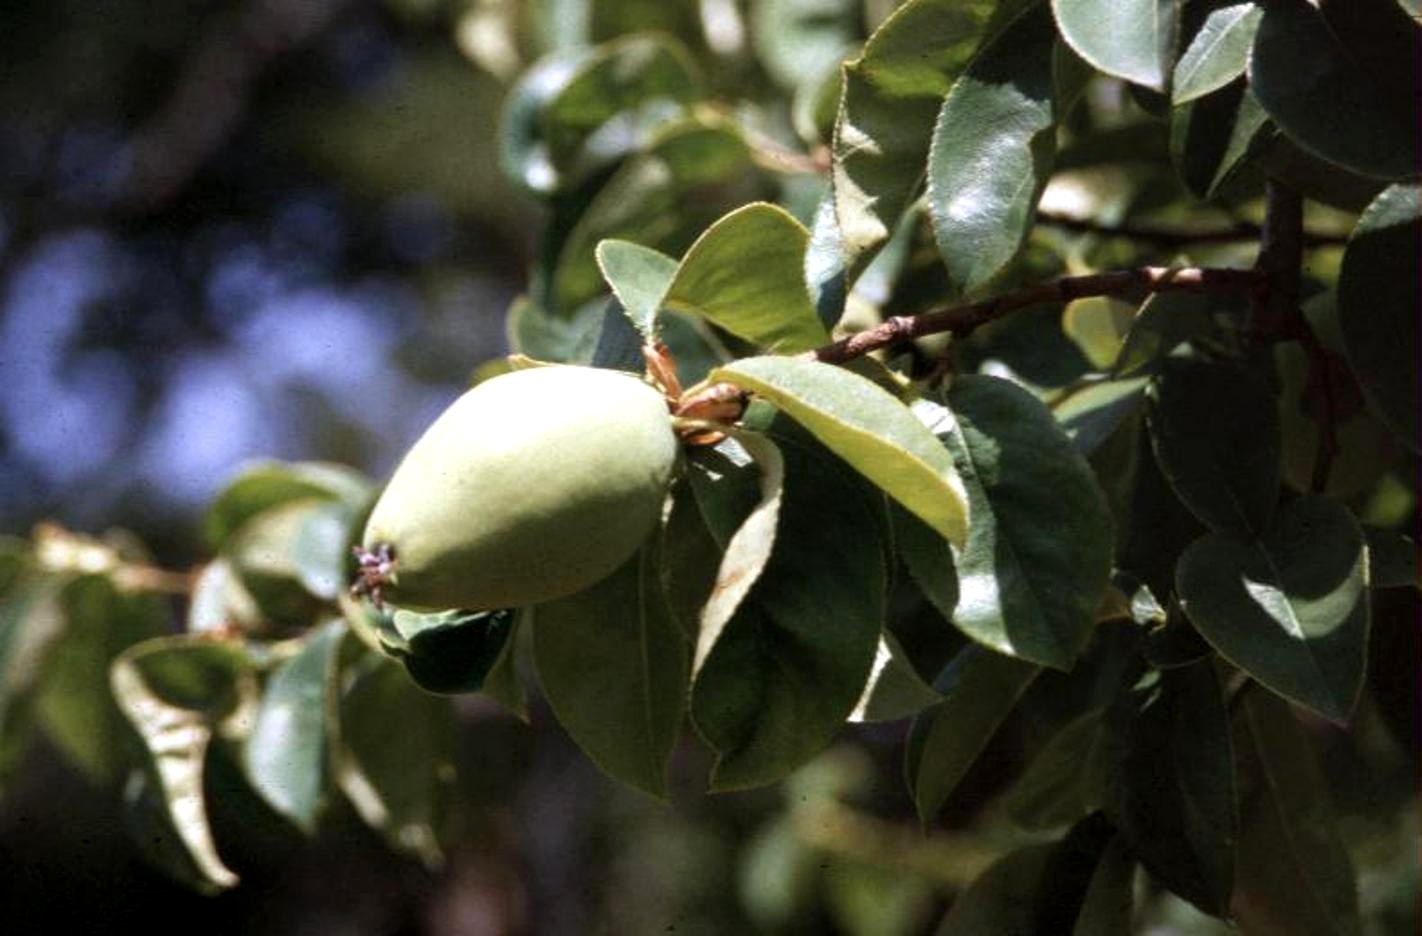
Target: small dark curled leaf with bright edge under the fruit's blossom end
<point x="453" y="652"/>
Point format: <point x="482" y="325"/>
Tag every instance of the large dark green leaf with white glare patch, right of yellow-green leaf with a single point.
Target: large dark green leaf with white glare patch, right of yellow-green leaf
<point x="1037" y="558"/>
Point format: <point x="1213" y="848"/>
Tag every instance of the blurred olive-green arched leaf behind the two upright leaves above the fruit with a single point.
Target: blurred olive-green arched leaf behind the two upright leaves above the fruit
<point x="689" y="174"/>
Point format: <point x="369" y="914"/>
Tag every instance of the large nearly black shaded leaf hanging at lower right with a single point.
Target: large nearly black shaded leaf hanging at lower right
<point x="1171" y="783"/>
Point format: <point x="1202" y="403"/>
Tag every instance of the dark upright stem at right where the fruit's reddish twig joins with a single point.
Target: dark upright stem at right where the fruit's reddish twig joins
<point x="1278" y="312"/>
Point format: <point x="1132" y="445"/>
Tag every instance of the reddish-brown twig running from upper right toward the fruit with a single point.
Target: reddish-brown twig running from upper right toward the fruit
<point x="965" y="318"/>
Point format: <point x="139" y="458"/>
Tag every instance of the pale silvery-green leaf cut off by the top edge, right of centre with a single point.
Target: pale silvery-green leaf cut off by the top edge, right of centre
<point x="1128" y="39"/>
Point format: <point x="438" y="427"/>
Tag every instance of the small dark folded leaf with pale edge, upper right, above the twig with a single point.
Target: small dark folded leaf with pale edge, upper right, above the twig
<point x="1215" y="136"/>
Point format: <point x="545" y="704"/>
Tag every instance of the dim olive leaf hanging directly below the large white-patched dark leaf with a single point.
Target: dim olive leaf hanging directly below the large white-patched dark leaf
<point x="979" y="689"/>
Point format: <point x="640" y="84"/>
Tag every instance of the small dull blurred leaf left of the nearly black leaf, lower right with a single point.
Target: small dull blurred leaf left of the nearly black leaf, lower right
<point x="1066" y="782"/>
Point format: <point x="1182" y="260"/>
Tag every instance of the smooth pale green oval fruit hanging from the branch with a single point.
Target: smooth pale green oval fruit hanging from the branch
<point x="531" y="487"/>
